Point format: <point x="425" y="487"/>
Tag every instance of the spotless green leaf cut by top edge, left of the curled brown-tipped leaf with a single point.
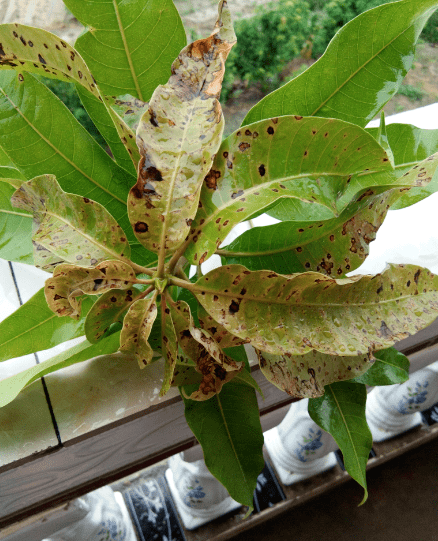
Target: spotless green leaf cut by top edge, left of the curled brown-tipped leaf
<point x="129" y="46"/>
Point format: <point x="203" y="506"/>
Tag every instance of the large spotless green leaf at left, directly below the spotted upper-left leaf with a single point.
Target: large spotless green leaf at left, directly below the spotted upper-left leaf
<point x="37" y="144"/>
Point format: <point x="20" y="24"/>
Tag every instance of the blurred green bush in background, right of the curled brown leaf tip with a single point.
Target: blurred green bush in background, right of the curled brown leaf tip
<point x="266" y="42"/>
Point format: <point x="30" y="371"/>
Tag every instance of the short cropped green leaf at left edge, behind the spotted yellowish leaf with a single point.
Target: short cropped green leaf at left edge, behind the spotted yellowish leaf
<point x="15" y="229"/>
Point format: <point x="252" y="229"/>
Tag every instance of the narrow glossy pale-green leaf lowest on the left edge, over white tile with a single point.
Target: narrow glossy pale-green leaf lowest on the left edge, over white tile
<point x="10" y="387"/>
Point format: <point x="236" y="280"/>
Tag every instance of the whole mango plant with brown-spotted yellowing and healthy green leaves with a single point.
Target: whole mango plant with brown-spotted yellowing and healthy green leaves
<point x="119" y="234"/>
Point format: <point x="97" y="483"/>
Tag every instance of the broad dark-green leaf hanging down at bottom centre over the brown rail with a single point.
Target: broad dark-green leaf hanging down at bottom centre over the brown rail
<point x="228" y="428"/>
